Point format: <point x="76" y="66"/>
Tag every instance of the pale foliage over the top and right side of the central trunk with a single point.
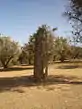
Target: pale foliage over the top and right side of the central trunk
<point x="47" y="35"/>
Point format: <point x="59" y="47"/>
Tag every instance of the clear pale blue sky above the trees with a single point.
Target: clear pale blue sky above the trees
<point x="21" y="18"/>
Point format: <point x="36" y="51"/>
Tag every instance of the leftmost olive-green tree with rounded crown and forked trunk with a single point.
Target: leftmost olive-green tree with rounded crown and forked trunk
<point x="9" y="50"/>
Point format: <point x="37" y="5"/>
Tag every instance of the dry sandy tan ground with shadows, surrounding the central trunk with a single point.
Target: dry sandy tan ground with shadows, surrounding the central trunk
<point x="62" y="90"/>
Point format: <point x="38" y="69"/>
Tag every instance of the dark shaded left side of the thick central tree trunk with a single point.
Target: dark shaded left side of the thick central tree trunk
<point x="38" y="67"/>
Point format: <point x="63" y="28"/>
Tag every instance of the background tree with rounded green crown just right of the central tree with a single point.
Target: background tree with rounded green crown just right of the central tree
<point x="62" y="49"/>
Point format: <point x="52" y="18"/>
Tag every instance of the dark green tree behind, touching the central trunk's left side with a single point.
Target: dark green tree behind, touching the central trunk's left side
<point x="27" y="55"/>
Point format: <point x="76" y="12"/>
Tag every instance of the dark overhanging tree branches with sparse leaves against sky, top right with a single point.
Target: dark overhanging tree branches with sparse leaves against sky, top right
<point x="74" y="13"/>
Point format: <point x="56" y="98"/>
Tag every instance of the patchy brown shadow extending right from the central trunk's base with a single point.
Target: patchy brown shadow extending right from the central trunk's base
<point x="61" y="79"/>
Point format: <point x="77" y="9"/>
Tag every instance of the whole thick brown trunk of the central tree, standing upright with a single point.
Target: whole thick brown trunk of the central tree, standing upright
<point x="41" y="56"/>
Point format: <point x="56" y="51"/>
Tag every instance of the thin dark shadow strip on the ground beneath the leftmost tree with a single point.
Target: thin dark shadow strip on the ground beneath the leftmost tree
<point x="16" y="69"/>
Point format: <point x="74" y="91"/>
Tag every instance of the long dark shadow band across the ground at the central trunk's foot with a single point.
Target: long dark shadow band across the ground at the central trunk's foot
<point x="7" y="84"/>
